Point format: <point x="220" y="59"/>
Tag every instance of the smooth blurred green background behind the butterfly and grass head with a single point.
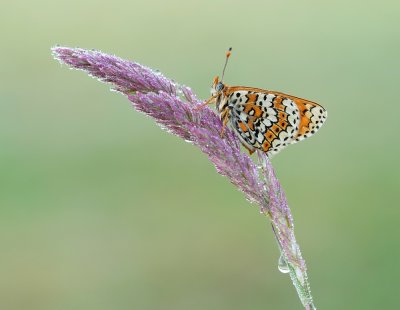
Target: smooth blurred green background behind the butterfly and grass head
<point x="100" y="209"/>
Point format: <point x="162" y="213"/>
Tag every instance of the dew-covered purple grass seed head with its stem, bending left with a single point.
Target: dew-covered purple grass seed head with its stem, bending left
<point x="173" y="107"/>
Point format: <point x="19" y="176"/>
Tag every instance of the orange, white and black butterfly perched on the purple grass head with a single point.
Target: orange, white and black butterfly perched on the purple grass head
<point x="263" y="119"/>
